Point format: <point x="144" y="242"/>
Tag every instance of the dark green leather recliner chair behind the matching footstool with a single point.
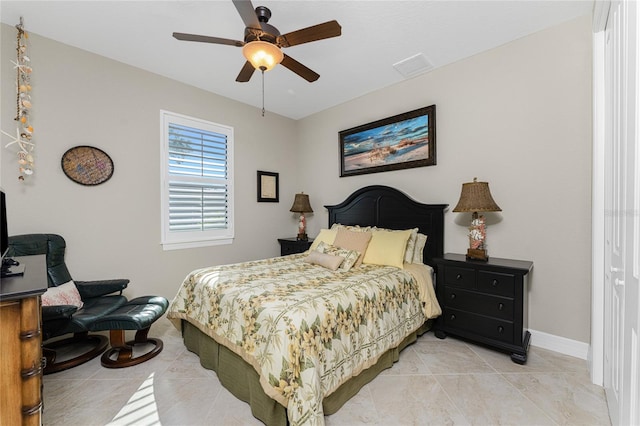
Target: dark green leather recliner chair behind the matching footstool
<point x="97" y="297"/>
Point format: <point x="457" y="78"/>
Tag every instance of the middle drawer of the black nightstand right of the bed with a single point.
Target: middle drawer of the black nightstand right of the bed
<point x="498" y="307"/>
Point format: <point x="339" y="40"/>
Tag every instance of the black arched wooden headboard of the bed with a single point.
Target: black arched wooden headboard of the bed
<point x="386" y="207"/>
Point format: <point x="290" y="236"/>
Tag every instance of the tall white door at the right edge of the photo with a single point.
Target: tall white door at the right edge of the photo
<point x="622" y="223"/>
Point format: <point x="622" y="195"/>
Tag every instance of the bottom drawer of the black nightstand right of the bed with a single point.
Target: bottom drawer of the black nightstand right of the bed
<point x="480" y="325"/>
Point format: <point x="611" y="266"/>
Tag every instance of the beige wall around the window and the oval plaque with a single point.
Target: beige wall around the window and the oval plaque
<point x="113" y="230"/>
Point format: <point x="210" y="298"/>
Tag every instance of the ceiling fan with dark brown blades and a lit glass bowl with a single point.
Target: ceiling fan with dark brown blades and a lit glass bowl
<point x="263" y="42"/>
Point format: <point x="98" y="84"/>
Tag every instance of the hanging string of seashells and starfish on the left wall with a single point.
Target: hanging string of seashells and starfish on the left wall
<point x="24" y="130"/>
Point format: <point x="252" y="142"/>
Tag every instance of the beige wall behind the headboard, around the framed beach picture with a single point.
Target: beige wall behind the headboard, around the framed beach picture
<point x="519" y="117"/>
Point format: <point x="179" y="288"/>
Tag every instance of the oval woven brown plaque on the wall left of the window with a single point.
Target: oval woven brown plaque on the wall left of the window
<point x="87" y="165"/>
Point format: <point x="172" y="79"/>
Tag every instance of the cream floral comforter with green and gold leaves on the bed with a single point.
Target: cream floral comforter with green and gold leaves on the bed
<point x="304" y="328"/>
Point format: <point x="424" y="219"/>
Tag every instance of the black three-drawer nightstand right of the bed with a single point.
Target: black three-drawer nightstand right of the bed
<point x="485" y="302"/>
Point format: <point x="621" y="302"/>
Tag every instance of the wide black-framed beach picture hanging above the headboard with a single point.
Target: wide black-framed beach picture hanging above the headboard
<point x="403" y="141"/>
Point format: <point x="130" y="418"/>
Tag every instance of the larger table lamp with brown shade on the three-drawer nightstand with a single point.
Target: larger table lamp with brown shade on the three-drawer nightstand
<point x="475" y="197"/>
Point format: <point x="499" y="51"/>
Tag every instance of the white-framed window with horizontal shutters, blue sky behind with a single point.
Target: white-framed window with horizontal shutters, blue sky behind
<point x="197" y="182"/>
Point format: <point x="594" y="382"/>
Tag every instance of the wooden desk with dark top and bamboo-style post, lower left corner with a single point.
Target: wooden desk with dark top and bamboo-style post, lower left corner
<point x="21" y="343"/>
